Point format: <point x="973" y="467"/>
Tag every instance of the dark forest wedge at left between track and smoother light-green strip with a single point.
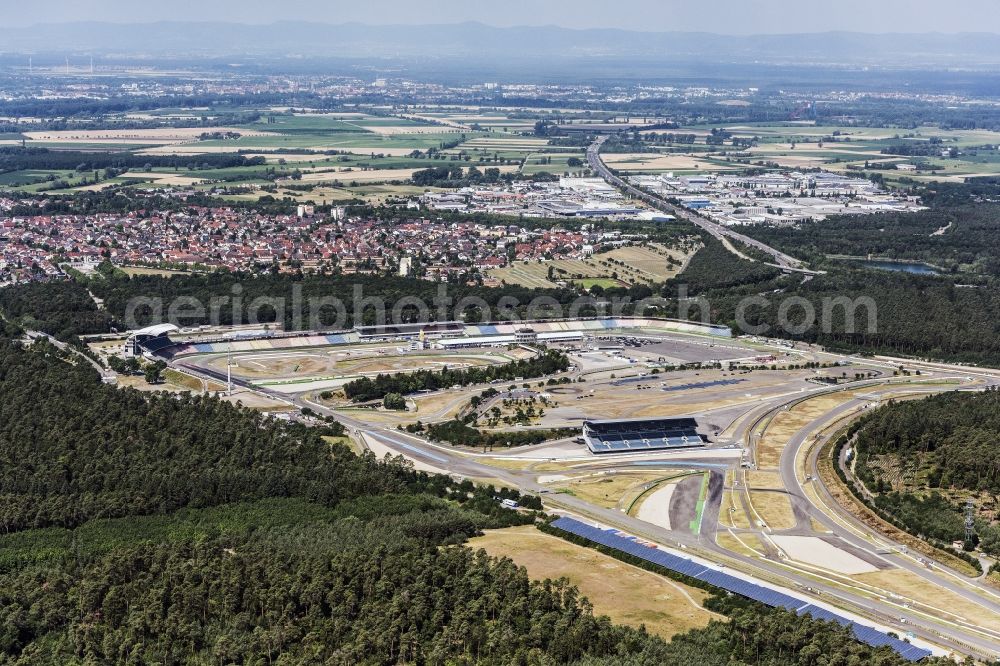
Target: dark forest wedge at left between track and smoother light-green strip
<point x="74" y="449"/>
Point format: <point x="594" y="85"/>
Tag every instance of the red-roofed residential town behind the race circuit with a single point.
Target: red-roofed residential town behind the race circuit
<point x="39" y="247"/>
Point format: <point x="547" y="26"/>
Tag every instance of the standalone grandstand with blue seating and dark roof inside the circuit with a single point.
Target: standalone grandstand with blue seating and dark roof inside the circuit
<point x="641" y="435"/>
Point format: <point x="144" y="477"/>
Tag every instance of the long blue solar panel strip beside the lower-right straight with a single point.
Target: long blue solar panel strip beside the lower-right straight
<point x="632" y="546"/>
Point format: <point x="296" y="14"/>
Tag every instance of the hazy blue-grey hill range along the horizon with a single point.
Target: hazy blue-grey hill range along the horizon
<point x="479" y="41"/>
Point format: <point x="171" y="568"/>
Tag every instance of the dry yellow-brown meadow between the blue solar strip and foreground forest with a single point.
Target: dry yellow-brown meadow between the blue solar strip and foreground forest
<point x="628" y="595"/>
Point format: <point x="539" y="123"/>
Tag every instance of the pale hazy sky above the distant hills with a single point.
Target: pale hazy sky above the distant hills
<point x="721" y="16"/>
